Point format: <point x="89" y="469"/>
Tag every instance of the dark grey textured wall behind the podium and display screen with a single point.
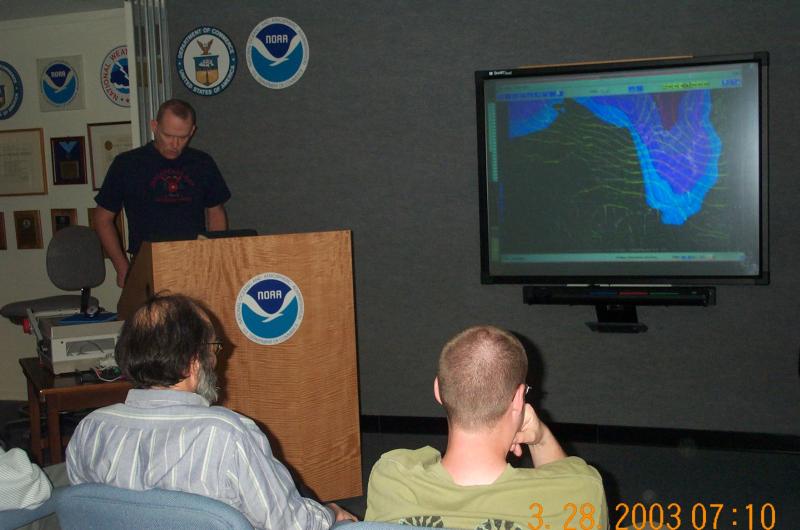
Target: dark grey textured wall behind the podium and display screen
<point x="379" y="137"/>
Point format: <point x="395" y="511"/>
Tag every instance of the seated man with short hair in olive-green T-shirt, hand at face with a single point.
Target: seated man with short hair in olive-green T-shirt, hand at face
<point x="481" y="384"/>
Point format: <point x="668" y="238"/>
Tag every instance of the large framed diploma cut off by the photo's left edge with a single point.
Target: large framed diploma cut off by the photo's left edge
<point x="22" y="168"/>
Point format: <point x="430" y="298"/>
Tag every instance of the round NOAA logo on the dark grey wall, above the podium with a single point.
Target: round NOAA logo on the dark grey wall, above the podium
<point x="277" y="52"/>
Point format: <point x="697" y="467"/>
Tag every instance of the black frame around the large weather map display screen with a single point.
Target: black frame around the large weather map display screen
<point x="482" y="76"/>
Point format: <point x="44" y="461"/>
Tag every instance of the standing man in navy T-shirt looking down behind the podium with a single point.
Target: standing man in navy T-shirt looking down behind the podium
<point x="168" y="190"/>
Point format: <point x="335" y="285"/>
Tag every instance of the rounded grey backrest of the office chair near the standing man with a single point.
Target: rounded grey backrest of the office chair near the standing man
<point x="75" y="259"/>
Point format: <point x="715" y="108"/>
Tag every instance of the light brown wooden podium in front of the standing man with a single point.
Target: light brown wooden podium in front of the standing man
<point x="302" y="392"/>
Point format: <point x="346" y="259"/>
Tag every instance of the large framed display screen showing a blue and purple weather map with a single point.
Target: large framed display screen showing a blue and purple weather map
<point x="644" y="172"/>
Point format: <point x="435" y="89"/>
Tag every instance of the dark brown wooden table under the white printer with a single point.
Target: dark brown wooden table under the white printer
<point x="62" y="393"/>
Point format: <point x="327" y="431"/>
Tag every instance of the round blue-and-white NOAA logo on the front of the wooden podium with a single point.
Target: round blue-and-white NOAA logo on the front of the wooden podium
<point x="269" y="308"/>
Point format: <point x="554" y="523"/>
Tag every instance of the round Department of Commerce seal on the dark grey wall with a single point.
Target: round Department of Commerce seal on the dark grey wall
<point x="206" y="61"/>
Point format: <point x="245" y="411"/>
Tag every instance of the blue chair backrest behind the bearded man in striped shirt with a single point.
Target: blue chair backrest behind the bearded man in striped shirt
<point x="102" y="507"/>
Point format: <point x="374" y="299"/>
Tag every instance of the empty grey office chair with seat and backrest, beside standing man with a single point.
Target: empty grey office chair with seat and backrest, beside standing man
<point x="74" y="263"/>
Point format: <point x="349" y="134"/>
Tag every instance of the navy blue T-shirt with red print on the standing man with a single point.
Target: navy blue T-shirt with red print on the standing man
<point x="163" y="199"/>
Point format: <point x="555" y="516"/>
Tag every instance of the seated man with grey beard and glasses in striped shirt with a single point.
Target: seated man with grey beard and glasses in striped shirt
<point x="166" y="435"/>
